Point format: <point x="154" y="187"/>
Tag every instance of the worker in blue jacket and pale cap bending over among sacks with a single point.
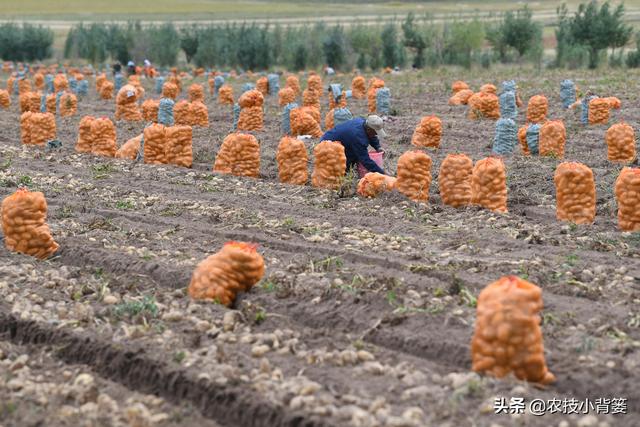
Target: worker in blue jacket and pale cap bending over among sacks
<point x="356" y="135"/>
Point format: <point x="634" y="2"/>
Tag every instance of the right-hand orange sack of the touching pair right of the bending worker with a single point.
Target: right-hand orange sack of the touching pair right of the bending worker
<point x="489" y="184"/>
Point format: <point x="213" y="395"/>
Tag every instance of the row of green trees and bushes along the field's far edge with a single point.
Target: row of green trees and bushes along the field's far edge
<point x="584" y="38"/>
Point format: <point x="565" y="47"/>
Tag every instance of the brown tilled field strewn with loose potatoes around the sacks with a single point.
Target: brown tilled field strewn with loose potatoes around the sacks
<point x="367" y="308"/>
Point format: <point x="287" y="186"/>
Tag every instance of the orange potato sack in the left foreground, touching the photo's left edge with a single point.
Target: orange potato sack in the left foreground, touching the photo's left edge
<point x="24" y="215"/>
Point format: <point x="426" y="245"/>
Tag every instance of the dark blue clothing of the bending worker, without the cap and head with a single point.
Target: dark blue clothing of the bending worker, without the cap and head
<point x="356" y="143"/>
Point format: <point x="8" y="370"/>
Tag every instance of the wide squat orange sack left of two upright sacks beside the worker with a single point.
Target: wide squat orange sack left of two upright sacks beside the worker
<point x="239" y="155"/>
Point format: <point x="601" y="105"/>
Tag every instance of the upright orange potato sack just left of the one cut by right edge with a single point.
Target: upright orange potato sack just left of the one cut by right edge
<point x="575" y="193"/>
